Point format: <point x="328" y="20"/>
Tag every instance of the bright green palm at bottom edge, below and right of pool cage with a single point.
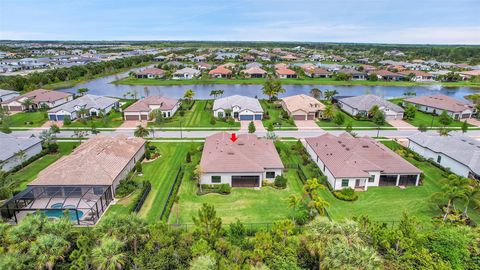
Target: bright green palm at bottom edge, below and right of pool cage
<point x="109" y="255"/>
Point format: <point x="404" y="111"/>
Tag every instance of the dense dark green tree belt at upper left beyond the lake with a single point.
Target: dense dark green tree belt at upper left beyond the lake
<point x="39" y="79"/>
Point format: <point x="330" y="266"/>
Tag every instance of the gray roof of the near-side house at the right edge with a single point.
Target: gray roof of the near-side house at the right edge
<point x="458" y="147"/>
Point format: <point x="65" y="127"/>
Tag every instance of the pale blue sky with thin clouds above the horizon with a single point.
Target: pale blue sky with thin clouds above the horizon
<point x="364" y="21"/>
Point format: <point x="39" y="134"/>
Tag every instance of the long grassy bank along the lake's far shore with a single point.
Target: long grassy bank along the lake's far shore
<point x="299" y="81"/>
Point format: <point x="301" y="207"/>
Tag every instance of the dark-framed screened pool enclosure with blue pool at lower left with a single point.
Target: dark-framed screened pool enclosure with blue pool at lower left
<point x="84" y="205"/>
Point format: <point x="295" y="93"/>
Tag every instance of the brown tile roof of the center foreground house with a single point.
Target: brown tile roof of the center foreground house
<point x="247" y="154"/>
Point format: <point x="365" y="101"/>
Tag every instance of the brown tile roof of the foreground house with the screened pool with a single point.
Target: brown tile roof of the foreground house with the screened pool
<point x="97" y="161"/>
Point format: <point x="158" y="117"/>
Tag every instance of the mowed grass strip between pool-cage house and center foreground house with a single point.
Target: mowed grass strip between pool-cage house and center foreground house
<point x="161" y="174"/>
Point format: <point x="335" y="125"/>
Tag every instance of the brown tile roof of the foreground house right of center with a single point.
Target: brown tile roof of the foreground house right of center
<point x="345" y="156"/>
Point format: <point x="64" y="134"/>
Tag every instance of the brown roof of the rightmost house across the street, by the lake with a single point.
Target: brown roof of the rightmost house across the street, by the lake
<point x="440" y="102"/>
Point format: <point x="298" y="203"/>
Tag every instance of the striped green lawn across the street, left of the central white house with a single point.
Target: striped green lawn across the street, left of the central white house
<point x="197" y="116"/>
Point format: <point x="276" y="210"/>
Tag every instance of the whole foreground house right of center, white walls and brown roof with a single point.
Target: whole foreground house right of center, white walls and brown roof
<point x="359" y="163"/>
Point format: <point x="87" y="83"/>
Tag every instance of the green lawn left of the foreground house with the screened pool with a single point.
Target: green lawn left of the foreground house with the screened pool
<point x="30" y="172"/>
